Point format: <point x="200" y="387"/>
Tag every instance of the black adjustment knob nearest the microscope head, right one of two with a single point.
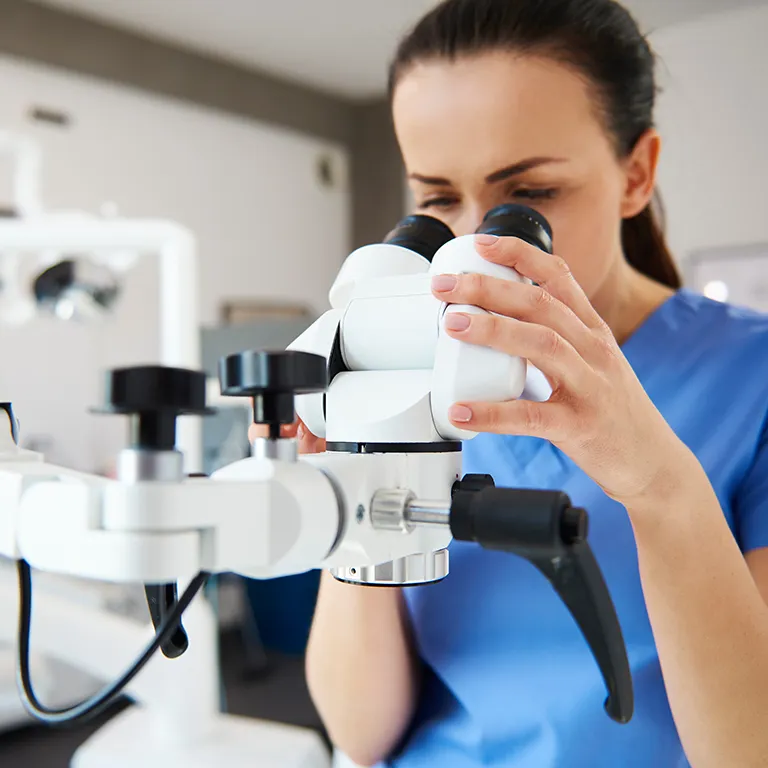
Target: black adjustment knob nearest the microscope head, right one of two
<point x="272" y="380"/>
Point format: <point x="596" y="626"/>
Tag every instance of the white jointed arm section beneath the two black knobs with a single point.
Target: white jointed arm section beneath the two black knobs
<point x="256" y="517"/>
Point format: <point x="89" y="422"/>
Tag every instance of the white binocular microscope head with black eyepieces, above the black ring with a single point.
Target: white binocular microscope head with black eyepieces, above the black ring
<point x="393" y="372"/>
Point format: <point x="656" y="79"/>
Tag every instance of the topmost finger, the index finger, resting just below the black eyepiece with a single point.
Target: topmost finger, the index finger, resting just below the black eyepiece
<point x="549" y="272"/>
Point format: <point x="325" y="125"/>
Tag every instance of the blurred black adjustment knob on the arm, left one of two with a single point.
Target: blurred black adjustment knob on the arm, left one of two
<point x="155" y="396"/>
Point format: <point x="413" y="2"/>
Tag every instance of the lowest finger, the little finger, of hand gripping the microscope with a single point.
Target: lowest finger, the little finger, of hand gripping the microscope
<point x="548" y="421"/>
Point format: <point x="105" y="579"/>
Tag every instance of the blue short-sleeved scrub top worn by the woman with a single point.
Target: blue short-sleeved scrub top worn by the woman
<point x="509" y="680"/>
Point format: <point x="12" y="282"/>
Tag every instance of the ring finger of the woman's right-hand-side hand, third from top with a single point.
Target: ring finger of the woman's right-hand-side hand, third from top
<point x="545" y="348"/>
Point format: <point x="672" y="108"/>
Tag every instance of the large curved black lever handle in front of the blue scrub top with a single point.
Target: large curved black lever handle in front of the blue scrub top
<point x="546" y="530"/>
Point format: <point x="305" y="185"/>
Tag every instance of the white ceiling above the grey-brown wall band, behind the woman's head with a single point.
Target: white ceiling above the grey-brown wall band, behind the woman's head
<point x="339" y="46"/>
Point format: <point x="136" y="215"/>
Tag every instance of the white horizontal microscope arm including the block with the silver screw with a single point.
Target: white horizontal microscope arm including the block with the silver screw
<point x="262" y="518"/>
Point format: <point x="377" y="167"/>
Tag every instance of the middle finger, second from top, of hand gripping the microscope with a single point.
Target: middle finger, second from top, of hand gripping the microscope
<point x="519" y="300"/>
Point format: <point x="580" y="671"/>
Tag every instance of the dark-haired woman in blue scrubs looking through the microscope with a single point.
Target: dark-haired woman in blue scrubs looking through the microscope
<point x="656" y="426"/>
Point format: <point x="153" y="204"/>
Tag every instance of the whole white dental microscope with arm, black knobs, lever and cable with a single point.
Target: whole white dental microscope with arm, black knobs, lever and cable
<point x="375" y="377"/>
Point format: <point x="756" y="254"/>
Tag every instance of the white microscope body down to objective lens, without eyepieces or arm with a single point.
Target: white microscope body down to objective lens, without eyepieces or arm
<point x="395" y="373"/>
